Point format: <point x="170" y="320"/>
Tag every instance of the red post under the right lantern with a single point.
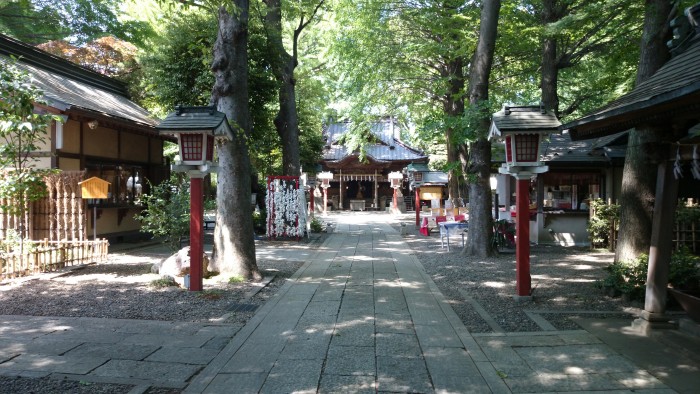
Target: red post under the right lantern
<point x="522" y="231"/>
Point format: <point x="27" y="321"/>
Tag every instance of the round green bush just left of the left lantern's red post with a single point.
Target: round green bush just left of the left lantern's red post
<point x="167" y="210"/>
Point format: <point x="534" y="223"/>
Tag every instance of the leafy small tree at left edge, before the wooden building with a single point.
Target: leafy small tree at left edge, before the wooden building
<point x="22" y="132"/>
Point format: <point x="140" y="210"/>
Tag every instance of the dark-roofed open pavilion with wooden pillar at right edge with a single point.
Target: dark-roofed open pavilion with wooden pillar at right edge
<point x="669" y="103"/>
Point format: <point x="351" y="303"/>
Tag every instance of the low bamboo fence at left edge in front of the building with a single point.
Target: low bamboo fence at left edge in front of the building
<point x="47" y="256"/>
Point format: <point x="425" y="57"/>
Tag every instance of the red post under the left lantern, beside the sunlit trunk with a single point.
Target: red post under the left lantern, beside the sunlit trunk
<point x="196" y="233"/>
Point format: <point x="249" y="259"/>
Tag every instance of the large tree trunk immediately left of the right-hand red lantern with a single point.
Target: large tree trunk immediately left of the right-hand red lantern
<point x="479" y="167"/>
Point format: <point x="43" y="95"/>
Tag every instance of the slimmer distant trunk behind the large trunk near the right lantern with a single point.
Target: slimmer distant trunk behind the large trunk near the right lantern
<point x="454" y="107"/>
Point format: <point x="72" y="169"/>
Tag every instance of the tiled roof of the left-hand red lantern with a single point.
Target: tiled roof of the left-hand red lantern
<point x="196" y="119"/>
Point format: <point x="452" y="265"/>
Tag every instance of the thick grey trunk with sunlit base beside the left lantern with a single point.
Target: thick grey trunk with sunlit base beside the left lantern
<point x="233" y="237"/>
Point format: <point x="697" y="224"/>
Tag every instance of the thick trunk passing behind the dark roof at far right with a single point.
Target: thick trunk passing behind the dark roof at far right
<point x="639" y="175"/>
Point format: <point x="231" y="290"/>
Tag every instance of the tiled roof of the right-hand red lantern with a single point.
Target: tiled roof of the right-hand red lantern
<point x="523" y="119"/>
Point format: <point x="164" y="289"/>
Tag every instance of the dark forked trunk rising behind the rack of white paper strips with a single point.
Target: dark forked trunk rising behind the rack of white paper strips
<point x="283" y="65"/>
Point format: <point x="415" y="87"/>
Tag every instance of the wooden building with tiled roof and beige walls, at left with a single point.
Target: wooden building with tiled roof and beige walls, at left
<point x="103" y="134"/>
